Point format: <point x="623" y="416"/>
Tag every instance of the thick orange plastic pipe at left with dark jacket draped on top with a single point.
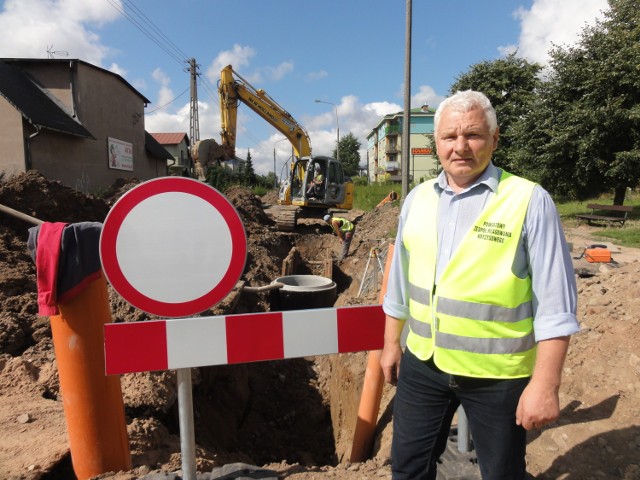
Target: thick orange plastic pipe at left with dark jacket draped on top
<point x="93" y="405"/>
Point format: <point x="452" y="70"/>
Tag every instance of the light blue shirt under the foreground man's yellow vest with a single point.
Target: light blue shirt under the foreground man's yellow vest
<point x="542" y="252"/>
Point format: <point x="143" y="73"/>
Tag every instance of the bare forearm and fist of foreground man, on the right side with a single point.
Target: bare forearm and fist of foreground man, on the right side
<point x="539" y="403"/>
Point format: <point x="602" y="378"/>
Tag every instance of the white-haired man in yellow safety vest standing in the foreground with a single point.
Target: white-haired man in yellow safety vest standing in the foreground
<point x="482" y="278"/>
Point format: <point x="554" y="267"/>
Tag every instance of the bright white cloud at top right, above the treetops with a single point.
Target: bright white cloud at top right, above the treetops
<point x="552" y="22"/>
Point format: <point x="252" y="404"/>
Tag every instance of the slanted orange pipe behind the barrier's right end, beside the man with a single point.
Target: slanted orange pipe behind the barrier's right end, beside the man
<point x="371" y="391"/>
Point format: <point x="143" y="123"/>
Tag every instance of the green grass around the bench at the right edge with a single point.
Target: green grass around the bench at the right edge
<point x="628" y="235"/>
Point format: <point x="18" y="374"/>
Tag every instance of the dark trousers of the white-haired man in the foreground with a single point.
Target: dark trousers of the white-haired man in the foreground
<point x="426" y="400"/>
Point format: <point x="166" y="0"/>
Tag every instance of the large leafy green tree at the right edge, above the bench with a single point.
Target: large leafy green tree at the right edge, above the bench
<point x="583" y="138"/>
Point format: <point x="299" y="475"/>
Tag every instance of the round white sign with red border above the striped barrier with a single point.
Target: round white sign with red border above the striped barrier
<point x="173" y="246"/>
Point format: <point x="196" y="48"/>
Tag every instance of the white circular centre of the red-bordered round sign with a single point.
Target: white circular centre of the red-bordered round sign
<point x="181" y="257"/>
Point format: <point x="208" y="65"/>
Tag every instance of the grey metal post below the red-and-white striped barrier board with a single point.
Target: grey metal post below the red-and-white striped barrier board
<point x="187" y="434"/>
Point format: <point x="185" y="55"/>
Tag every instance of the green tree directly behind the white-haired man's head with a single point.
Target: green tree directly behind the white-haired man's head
<point x="510" y="83"/>
